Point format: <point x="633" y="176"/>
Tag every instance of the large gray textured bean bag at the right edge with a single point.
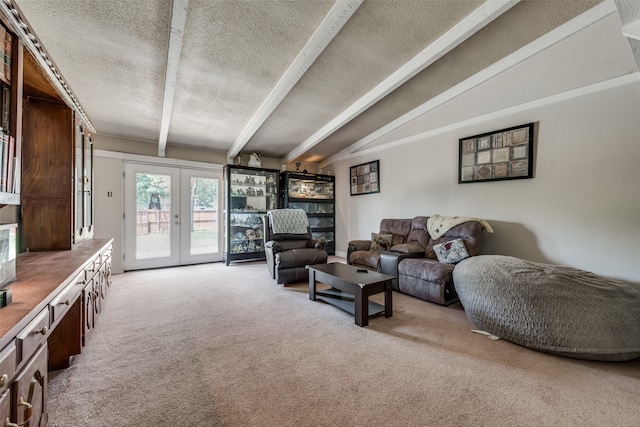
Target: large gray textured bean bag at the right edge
<point x="550" y="308"/>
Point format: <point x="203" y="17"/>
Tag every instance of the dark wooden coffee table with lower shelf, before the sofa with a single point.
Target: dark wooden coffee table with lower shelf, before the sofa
<point x="350" y="290"/>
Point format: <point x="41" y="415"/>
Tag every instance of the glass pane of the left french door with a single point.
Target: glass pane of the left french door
<point x="153" y="226"/>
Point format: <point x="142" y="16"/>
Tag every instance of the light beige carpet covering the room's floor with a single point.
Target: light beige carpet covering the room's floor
<point x="216" y="345"/>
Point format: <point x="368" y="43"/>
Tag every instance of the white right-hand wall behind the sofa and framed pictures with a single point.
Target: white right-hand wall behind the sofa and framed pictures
<point x="582" y="209"/>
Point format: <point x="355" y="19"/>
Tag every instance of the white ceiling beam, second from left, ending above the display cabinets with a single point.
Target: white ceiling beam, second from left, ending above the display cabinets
<point x="326" y="31"/>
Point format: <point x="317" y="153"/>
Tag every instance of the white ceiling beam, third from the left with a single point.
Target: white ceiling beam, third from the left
<point x="474" y="22"/>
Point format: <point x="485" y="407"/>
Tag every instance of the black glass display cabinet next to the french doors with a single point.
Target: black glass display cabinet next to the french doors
<point x="249" y="194"/>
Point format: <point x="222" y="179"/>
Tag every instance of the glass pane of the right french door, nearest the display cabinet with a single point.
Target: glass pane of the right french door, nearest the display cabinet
<point x="204" y="215"/>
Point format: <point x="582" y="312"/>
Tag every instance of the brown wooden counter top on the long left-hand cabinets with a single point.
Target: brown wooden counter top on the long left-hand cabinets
<point x="41" y="276"/>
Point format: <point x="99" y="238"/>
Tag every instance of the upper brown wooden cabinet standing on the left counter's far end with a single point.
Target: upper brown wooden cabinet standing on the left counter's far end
<point x="57" y="177"/>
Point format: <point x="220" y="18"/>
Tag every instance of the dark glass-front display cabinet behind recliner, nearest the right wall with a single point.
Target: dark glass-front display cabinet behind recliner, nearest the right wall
<point x="315" y="195"/>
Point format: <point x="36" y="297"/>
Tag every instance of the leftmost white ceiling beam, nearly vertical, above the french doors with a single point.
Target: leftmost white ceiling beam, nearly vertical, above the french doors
<point x="178" y="21"/>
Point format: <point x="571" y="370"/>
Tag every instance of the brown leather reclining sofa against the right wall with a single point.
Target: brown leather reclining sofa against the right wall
<point x="412" y="260"/>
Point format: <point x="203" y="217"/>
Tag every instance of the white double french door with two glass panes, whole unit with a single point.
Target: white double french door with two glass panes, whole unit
<point x="172" y="216"/>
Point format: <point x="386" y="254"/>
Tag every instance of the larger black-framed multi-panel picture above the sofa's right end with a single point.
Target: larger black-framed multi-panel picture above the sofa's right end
<point x="503" y="154"/>
